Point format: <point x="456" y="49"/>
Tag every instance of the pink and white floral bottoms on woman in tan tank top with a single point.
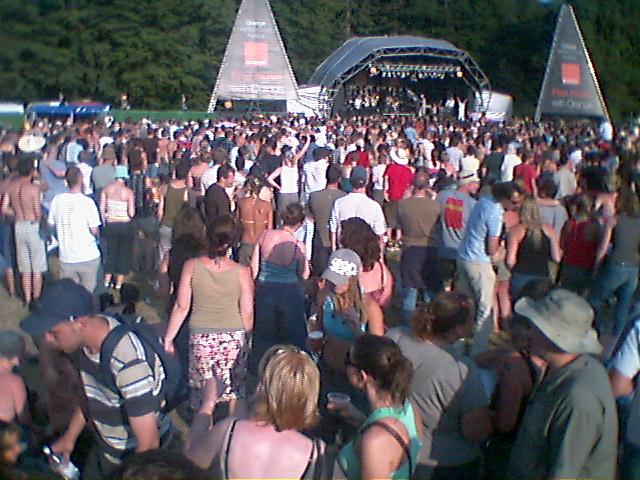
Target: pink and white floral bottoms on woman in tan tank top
<point x="223" y="355"/>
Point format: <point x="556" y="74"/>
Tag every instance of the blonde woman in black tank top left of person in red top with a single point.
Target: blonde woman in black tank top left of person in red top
<point x="531" y="245"/>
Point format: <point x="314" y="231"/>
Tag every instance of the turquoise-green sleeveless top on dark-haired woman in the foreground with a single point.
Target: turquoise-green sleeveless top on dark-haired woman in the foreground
<point x="348" y="459"/>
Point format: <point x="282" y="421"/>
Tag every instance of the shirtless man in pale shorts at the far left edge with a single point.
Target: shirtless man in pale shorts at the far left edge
<point x="23" y="200"/>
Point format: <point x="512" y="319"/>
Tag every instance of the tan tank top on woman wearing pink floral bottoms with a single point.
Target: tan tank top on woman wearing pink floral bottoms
<point x="215" y="306"/>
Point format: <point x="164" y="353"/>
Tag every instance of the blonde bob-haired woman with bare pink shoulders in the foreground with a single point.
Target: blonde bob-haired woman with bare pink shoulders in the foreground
<point x="285" y="403"/>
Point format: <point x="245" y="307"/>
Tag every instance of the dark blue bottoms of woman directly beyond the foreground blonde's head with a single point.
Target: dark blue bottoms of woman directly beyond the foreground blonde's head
<point x="279" y="318"/>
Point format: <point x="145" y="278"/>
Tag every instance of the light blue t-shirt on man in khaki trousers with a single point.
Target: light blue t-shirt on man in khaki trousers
<point x="485" y="221"/>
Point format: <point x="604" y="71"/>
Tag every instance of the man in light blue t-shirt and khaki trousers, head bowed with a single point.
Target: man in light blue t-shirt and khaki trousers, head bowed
<point x="480" y="244"/>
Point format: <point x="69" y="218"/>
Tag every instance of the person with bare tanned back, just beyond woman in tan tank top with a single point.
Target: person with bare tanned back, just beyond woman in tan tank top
<point x="255" y="215"/>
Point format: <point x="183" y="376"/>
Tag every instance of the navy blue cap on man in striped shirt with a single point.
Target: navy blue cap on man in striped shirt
<point x="63" y="301"/>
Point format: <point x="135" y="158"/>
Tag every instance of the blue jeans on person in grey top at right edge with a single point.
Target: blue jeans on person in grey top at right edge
<point x="619" y="279"/>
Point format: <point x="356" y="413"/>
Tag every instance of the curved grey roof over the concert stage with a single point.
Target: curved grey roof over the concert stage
<point x="355" y="50"/>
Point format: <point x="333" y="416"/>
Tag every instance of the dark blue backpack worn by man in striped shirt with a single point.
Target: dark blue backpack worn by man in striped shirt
<point x="175" y="383"/>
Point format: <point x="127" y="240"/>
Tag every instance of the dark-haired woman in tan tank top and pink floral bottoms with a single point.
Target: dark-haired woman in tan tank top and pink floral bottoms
<point x="219" y="293"/>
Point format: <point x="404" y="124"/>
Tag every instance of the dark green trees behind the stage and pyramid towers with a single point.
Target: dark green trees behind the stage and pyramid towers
<point x="157" y="51"/>
